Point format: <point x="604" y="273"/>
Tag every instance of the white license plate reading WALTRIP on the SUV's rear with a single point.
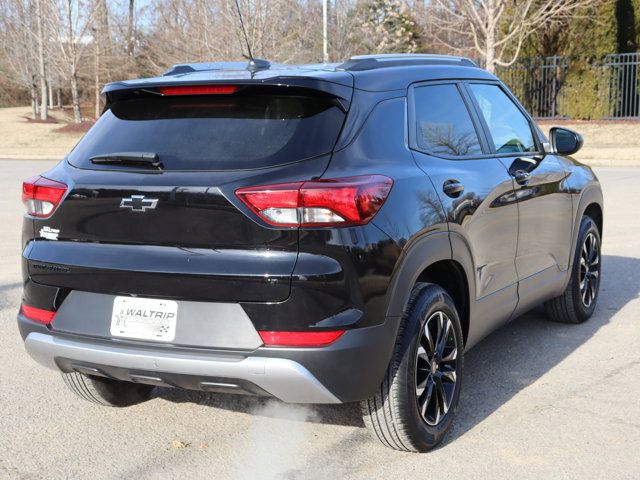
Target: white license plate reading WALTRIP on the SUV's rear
<point x="144" y="318"/>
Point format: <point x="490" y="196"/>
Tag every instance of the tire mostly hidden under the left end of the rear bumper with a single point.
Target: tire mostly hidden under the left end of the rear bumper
<point x="105" y="391"/>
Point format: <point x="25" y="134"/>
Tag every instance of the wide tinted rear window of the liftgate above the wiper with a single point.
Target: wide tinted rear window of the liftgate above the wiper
<point x="257" y="127"/>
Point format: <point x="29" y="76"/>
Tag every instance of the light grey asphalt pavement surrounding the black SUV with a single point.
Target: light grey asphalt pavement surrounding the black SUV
<point x="539" y="400"/>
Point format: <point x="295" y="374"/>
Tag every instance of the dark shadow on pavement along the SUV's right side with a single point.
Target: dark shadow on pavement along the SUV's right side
<point x="520" y="353"/>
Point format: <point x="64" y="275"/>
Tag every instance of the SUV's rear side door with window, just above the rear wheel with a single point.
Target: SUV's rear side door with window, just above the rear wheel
<point x="476" y="192"/>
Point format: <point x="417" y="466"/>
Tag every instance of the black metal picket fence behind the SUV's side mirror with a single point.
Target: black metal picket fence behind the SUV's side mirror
<point x="552" y="87"/>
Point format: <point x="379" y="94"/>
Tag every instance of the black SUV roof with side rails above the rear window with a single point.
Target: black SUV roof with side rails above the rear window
<point x="372" y="73"/>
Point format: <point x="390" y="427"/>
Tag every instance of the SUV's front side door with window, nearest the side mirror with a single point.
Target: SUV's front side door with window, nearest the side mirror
<point x="544" y="201"/>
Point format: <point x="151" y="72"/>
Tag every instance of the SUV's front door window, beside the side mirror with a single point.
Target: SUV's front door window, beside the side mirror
<point x="508" y="126"/>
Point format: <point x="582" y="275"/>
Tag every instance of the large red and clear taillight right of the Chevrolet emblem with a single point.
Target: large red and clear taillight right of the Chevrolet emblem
<point x="319" y="203"/>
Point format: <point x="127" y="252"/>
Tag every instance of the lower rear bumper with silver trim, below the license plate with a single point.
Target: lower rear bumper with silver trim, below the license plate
<point x="348" y="370"/>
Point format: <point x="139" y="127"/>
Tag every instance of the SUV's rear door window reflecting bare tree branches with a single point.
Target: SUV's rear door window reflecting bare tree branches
<point x="443" y="123"/>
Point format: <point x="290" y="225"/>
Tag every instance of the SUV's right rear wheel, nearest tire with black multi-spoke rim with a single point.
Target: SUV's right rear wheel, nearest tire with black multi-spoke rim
<point x="394" y="415"/>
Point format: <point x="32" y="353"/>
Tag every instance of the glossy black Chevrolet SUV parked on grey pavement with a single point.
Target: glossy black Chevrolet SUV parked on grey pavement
<point x="315" y="233"/>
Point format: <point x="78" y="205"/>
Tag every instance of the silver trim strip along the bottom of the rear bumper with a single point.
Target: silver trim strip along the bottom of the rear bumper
<point x="284" y="379"/>
